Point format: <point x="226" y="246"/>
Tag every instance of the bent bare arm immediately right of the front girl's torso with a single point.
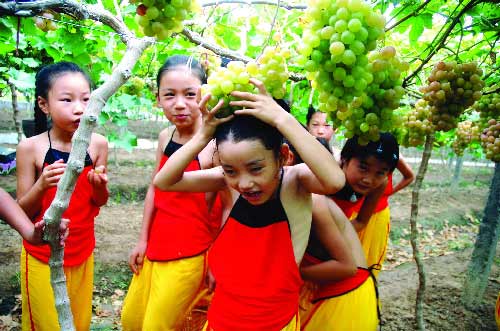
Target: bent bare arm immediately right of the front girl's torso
<point x="342" y="265"/>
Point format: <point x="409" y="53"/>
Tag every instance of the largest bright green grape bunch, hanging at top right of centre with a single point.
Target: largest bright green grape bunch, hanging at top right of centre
<point x="336" y="39"/>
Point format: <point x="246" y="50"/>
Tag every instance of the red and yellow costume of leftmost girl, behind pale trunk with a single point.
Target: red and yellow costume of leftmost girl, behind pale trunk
<point x="38" y="306"/>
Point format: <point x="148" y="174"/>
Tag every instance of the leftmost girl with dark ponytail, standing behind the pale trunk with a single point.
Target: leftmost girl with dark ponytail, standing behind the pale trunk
<point x="62" y="91"/>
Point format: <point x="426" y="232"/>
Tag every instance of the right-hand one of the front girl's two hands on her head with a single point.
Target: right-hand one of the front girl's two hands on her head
<point x="259" y="105"/>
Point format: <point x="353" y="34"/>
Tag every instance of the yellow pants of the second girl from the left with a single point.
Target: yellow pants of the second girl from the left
<point x="161" y="295"/>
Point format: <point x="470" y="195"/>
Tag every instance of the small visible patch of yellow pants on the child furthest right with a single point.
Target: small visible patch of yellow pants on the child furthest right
<point x="374" y="238"/>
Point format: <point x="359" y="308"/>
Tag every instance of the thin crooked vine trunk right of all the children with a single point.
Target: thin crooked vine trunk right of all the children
<point x="419" y="304"/>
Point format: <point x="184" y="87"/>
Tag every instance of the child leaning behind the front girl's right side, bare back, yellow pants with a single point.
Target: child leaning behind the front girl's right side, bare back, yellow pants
<point x="339" y="299"/>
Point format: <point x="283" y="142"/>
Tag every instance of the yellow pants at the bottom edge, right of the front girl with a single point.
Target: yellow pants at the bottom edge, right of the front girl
<point x="353" y="311"/>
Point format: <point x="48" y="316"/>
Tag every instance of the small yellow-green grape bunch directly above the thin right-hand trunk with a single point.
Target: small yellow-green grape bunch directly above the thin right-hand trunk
<point x="418" y="123"/>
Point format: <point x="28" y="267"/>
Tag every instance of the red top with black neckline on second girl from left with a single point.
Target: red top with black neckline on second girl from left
<point x="180" y="227"/>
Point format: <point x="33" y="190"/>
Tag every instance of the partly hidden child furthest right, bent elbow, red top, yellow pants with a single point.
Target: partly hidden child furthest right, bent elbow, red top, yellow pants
<point x="375" y="235"/>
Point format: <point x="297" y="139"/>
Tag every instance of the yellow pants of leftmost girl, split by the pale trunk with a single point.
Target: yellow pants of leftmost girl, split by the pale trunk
<point x="38" y="307"/>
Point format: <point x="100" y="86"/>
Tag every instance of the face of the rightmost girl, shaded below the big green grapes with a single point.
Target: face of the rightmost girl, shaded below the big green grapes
<point x="364" y="175"/>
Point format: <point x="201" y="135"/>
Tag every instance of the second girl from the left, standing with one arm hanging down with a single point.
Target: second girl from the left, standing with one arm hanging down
<point x="169" y="261"/>
